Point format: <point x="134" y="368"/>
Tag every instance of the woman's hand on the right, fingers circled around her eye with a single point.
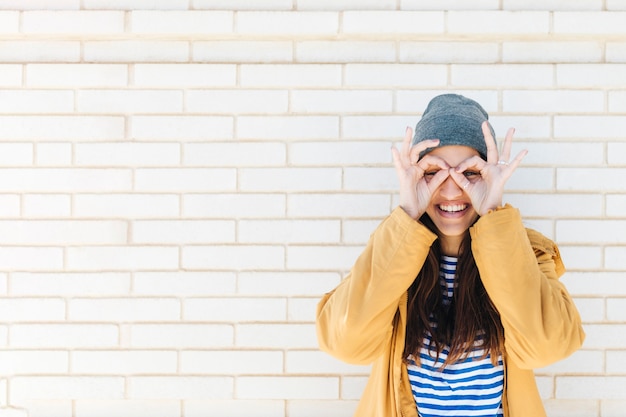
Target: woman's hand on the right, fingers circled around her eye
<point x="484" y="180"/>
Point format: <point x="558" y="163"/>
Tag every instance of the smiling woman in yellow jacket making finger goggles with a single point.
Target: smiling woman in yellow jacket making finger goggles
<point x="453" y="301"/>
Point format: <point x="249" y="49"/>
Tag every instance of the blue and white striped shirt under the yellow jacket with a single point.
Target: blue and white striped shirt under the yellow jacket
<point x="471" y="387"/>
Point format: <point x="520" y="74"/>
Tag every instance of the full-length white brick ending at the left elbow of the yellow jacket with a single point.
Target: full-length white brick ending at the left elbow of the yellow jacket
<point x="280" y="336"/>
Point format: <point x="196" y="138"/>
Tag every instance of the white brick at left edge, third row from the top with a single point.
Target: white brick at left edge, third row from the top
<point x="40" y="51"/>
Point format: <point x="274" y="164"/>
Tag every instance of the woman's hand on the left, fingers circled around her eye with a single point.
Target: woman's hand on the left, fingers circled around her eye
<point x="418" y="178"/>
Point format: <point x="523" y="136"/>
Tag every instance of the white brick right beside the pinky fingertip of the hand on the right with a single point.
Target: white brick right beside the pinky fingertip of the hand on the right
<point x="577" y="154"/>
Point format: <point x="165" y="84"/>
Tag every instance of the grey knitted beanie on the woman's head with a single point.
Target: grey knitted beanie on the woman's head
<point x="454" y="120"/>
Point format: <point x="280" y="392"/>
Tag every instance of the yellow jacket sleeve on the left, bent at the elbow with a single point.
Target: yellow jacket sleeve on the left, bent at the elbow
<point x="354" y="321"/>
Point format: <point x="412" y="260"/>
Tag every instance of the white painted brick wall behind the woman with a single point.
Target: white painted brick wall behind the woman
<point x="181" y="180"/>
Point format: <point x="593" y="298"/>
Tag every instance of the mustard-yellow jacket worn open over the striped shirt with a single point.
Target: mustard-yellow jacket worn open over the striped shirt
<point x="363" y="320"/>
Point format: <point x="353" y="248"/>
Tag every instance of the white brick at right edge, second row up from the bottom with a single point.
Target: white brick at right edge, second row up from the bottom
<point x="590" y="387"/>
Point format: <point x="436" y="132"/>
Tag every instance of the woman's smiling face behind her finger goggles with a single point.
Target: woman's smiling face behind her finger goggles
<point x="450" y="207"/>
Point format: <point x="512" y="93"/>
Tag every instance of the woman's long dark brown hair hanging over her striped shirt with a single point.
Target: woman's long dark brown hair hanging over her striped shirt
<point x="470" y="315"/>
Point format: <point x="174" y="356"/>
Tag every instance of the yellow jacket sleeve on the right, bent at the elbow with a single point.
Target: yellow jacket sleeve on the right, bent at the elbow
<point x="520" y="270"/>
